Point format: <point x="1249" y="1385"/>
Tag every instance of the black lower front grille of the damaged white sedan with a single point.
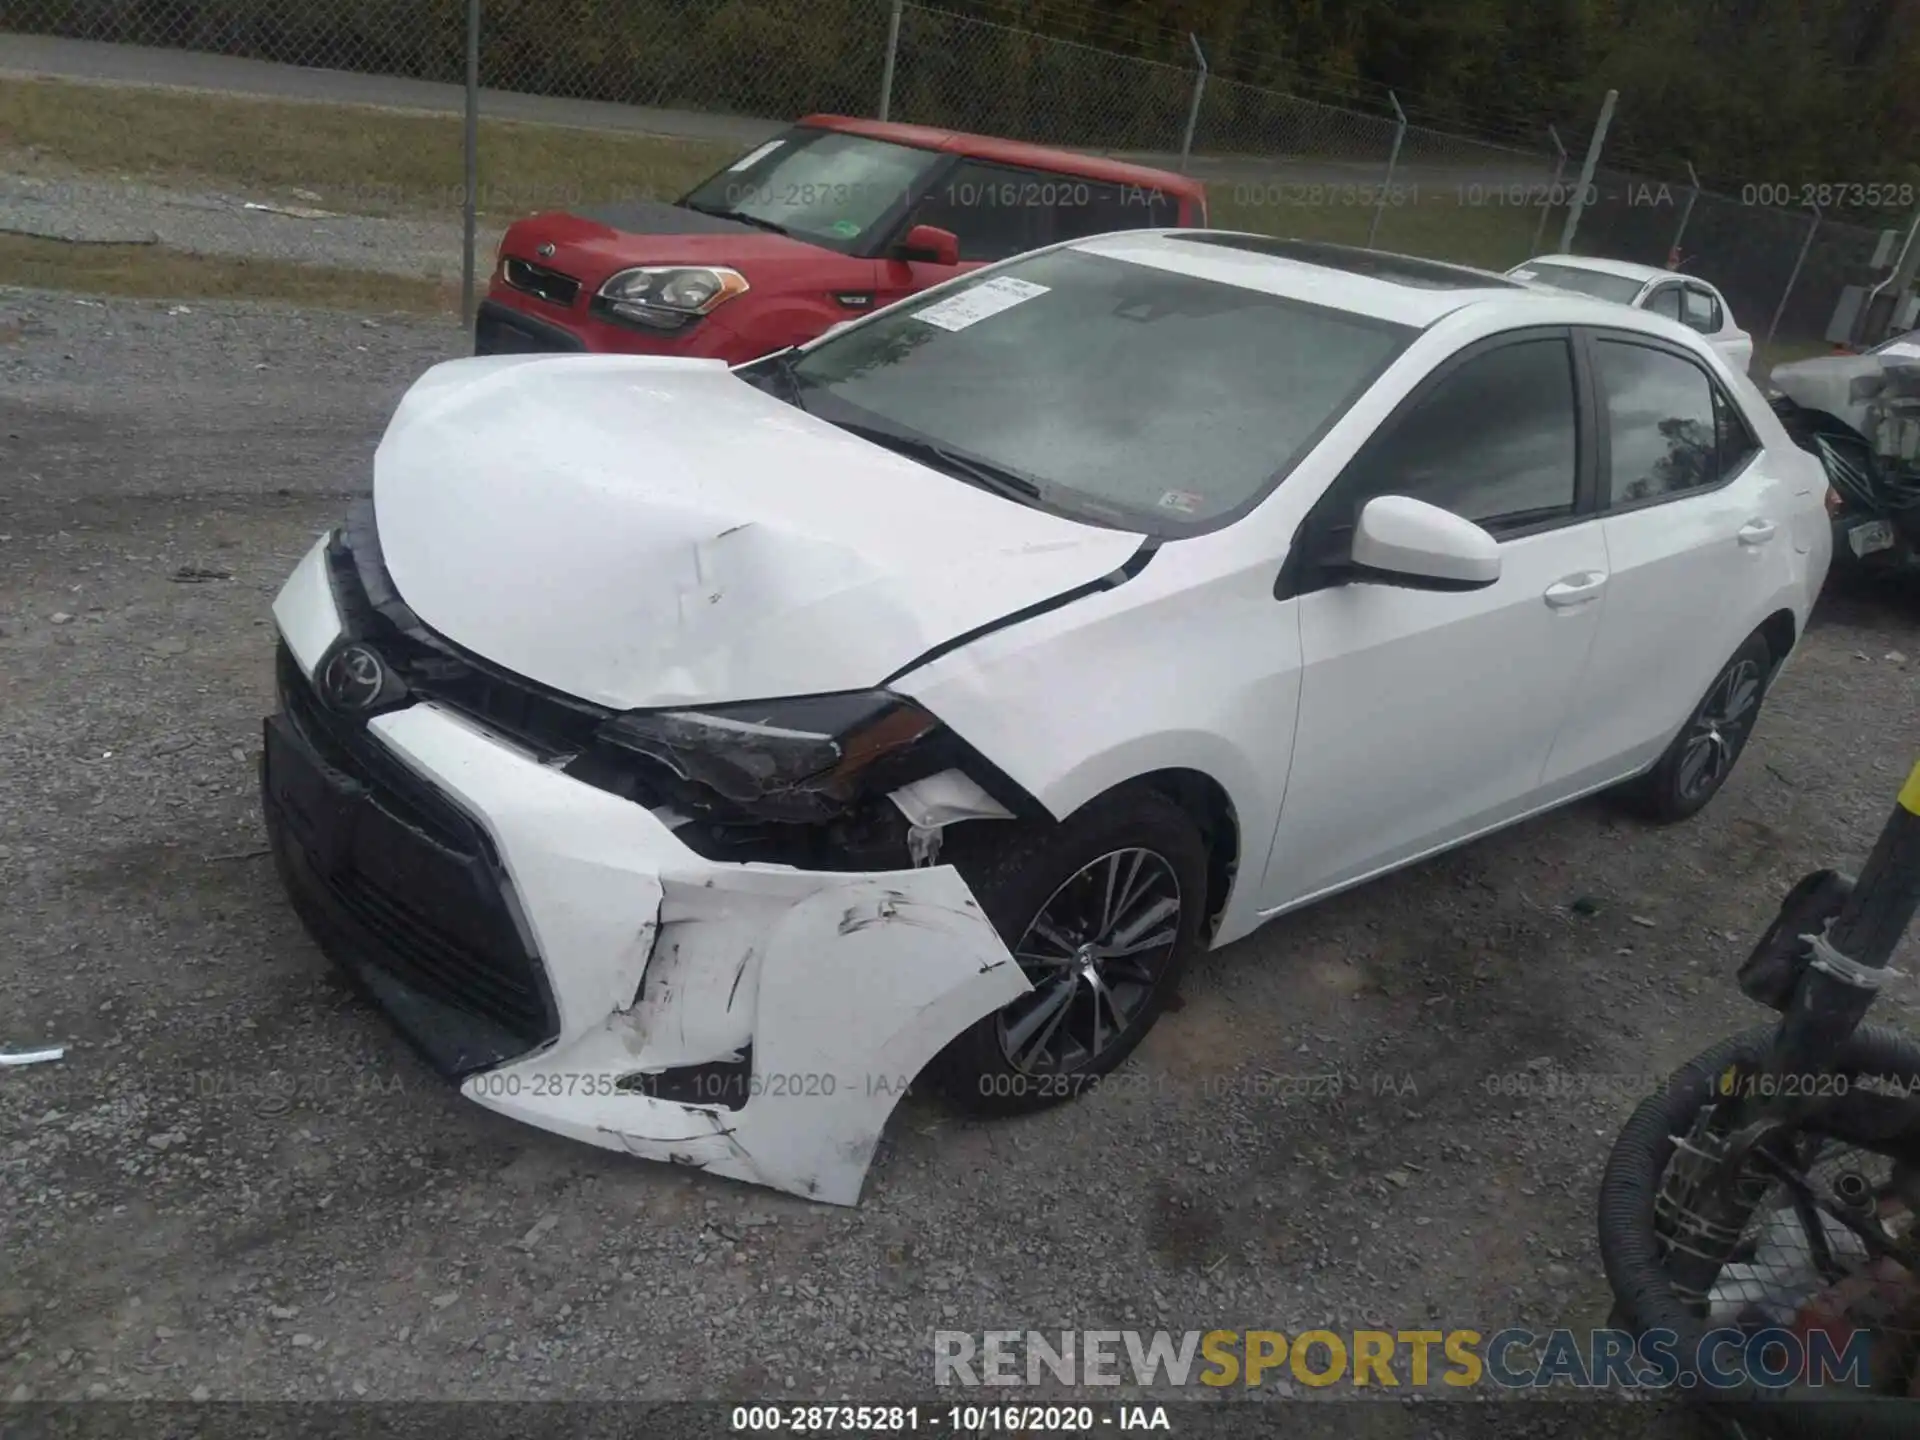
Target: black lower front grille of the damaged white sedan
<point x="421" y="880"/>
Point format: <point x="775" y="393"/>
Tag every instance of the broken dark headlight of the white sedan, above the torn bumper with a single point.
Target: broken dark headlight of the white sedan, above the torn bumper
<point x="800" y="761"/>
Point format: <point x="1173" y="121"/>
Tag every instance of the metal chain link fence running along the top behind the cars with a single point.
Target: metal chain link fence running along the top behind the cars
<point x="1274" y="162"/>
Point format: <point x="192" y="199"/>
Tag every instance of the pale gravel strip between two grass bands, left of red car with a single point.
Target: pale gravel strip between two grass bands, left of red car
<point x="212" y="224"/>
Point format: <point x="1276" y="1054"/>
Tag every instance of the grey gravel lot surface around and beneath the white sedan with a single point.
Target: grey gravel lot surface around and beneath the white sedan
<point x="239" y="1184"/>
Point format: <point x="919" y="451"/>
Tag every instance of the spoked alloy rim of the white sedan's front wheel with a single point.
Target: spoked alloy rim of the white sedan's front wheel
<point x="1095" y="953"/>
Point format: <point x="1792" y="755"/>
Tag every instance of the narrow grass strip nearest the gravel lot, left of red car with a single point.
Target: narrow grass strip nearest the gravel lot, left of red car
<point x="162" y="274"/>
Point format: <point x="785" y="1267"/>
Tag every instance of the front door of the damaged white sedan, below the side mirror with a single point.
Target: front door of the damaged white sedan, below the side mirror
<point x="1426" y="715"/>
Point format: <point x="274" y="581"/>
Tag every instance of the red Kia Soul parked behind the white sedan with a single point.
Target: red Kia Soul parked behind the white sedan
<point x="819" y="226"/>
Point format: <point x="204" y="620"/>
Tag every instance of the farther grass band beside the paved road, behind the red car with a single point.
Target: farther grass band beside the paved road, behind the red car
<point x="352" y="158"/>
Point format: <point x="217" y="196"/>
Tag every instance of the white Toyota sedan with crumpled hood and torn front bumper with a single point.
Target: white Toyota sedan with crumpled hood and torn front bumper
<point x="690" y="757"/>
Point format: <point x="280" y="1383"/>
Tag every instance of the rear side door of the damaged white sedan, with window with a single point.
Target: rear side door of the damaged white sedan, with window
<point x="1698" y="531"/>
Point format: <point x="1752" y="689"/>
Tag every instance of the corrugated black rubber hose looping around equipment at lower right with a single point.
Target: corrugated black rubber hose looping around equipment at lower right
<point x="1639" y="1278"/>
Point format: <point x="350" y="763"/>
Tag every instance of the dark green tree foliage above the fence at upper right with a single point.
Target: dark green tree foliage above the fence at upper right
<point x="1750" y="91"/>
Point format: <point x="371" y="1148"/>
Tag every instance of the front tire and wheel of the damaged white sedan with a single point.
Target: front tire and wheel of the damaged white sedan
<point x="1101" y="913"/>
